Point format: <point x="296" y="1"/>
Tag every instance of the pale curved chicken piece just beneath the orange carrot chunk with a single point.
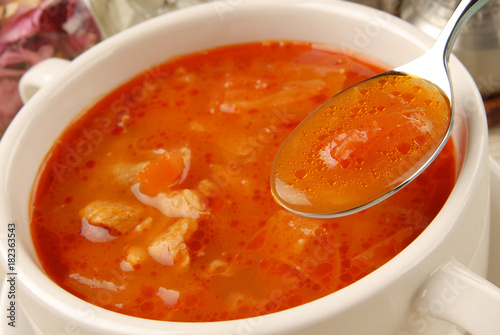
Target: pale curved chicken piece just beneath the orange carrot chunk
<point x="179" y="203"/>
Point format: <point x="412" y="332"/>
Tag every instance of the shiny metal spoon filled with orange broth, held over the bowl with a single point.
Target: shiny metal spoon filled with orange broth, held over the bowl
<point x="373" y="138"/>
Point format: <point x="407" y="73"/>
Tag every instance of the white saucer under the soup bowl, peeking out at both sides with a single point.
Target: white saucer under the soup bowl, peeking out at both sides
<point x="24" y="326"/>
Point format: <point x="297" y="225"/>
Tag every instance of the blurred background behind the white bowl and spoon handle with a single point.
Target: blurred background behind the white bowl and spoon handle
<point x="33" y="30"/>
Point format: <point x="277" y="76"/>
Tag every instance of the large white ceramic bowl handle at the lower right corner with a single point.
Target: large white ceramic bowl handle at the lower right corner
<point x="456" y="294"/>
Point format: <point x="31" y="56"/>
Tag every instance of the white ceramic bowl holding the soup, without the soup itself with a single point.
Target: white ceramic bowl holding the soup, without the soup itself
<point x="388" y="301"/>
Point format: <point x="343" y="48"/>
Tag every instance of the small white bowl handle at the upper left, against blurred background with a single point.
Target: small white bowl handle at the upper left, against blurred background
<point x="39" y="75"/>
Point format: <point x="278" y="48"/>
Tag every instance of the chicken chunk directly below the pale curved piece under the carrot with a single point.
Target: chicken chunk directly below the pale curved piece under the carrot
<point x="169" y="248"/>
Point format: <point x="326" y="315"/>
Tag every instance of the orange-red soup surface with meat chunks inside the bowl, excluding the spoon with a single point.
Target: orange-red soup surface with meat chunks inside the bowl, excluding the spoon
<point x="156" y="202"/>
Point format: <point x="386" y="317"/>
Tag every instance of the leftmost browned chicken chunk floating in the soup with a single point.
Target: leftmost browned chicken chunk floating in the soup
<point x="117" y="218"/>
